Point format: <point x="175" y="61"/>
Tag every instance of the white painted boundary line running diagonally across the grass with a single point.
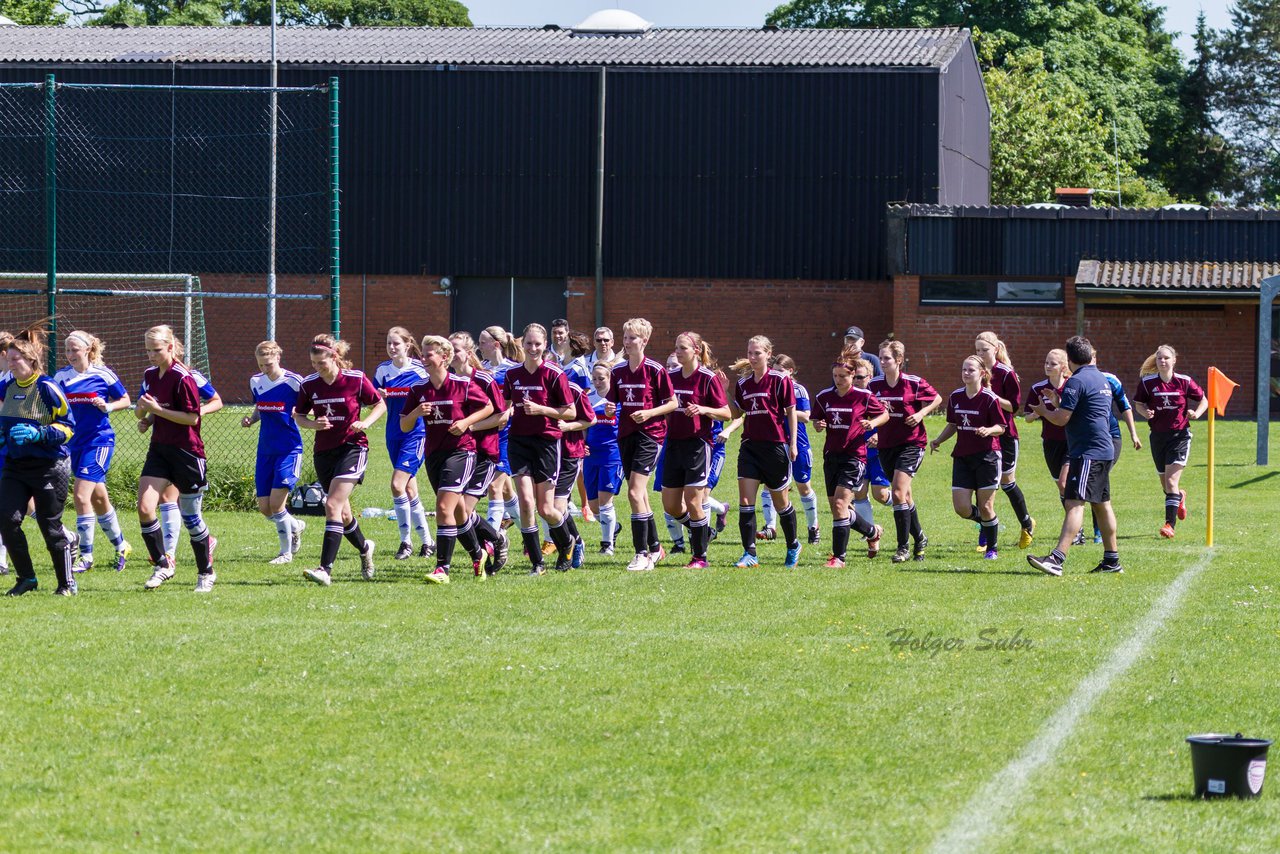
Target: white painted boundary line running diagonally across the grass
<point x="986" y="812"/>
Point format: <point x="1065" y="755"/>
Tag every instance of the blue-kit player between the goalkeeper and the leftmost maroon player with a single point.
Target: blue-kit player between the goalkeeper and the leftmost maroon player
<point x="94" y="392"/>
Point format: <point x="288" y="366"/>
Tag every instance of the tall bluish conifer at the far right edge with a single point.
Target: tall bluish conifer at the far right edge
<point x="1249" y="98"/>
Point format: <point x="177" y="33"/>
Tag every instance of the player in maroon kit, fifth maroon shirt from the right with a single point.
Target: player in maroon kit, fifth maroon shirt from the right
<point x="907" y="399"/>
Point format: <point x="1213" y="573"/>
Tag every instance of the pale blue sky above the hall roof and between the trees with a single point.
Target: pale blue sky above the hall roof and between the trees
<point x="1181" y="16"/>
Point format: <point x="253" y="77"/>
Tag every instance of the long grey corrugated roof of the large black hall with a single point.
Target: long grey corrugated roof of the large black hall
<point x="487" y="47"/>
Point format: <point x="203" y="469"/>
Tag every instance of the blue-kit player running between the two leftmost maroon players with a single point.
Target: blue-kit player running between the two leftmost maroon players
<point x="280" y="446"/>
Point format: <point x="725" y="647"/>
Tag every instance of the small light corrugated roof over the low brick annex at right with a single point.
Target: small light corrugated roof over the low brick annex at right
<point x="1176" y="276"/>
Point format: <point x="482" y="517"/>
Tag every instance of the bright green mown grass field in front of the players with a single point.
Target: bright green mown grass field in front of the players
<point x="726" y="710"/>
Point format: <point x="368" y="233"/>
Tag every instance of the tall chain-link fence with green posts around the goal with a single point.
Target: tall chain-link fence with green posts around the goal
<point x="126" y="207"/>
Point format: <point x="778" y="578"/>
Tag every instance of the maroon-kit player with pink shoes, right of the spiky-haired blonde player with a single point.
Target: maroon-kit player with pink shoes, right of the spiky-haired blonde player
<point x="688" y="460"/>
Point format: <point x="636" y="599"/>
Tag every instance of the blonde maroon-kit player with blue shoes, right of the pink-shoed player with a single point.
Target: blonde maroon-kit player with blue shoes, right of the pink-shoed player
<point x="766" y="401"/>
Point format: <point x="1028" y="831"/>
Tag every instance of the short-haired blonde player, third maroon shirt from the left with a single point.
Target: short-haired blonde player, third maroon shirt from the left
<point x="449" y="405"/>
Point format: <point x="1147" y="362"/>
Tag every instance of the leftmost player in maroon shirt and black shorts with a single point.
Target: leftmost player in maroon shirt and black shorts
<point x="171" y="403"/>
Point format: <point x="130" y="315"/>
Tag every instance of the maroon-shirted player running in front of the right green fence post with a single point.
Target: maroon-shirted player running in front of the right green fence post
<point x="336" y="394"/>
